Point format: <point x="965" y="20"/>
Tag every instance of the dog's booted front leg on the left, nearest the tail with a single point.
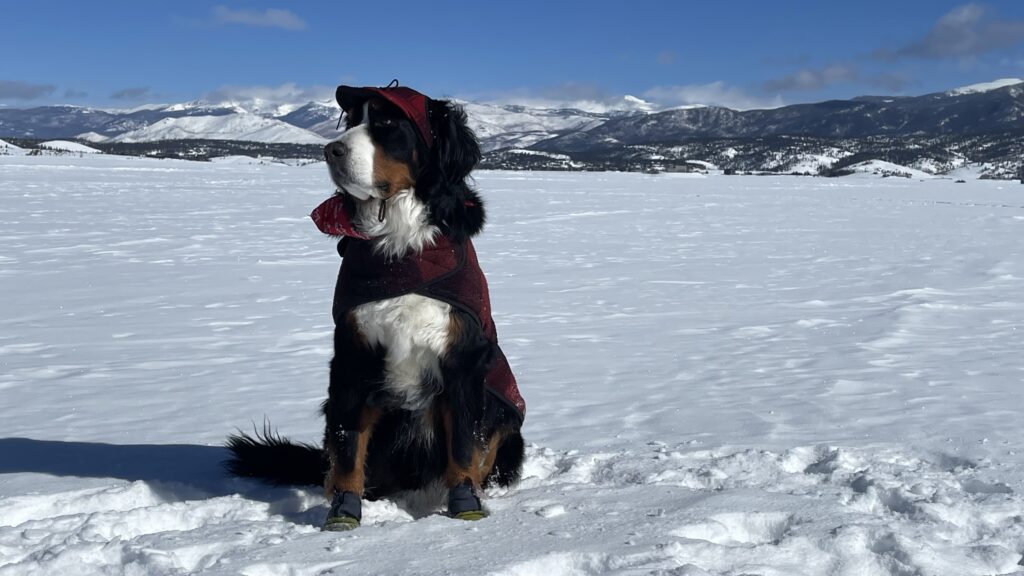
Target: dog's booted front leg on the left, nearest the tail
<point x="351" y="421"/>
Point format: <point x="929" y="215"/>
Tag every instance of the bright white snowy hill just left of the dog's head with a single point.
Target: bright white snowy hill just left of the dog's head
<point x="240" y="127"/>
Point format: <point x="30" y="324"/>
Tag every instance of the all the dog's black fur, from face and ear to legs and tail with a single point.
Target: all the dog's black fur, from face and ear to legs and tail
<point x="398" y="459"/>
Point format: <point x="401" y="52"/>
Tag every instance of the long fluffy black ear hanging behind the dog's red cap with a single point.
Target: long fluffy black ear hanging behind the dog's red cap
<point x="455" y="207"/>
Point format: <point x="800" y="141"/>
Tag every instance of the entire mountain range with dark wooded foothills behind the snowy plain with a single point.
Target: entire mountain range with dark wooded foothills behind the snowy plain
<point x="632" y="135"/>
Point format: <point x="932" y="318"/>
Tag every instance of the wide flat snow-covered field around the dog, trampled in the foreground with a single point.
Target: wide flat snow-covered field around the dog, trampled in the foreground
<point x="724" y="376"/>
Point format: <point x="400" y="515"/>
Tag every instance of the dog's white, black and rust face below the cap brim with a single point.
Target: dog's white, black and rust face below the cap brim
<point x="379" y="155"/>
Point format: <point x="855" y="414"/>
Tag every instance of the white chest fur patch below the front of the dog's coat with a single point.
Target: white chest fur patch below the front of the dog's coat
<point x="414" y="333"/>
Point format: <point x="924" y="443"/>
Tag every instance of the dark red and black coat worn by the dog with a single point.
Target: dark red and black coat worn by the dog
<point x="447" y="271"/>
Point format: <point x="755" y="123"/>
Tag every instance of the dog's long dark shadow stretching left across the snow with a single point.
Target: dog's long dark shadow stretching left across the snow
<point x="174" y="472"/>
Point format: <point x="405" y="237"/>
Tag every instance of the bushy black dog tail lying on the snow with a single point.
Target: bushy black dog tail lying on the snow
<point x="276" y="460"/>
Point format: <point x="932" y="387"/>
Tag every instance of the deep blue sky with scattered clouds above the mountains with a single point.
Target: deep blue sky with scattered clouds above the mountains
<point x="742" y="55"/>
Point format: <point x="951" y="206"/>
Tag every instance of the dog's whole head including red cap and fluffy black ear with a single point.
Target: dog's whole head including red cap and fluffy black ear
<point x="411" y="155"/>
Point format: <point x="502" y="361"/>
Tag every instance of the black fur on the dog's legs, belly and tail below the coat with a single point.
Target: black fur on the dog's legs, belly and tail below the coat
<point x="397" y="461"/>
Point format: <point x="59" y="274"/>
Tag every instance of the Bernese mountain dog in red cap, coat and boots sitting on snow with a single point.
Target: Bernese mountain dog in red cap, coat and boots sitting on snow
<point x="420" y="394"/>
